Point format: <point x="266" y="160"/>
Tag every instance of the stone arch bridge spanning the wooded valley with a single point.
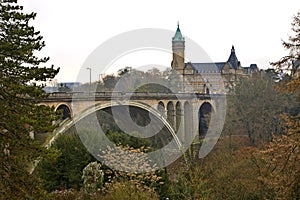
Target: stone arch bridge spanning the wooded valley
<point x="187" y="113"/>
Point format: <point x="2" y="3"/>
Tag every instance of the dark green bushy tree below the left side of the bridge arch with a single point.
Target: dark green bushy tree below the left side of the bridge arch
<point x="64" y="171"/>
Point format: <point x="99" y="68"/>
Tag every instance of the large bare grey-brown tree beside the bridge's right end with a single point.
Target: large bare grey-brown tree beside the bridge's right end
<point x="254" y="110"/>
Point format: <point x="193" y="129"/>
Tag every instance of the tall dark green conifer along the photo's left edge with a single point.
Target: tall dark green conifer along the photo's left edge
<point x="19" y="95"/>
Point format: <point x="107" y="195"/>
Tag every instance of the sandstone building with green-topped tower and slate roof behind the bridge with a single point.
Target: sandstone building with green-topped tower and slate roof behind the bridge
<point x="208" y="77"/>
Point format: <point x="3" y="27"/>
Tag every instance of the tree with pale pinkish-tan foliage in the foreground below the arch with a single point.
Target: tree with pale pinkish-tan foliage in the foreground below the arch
<point x="132" y="170"/>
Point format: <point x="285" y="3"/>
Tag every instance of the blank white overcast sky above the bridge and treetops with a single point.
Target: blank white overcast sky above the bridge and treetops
<point x="72" y="29"/>
